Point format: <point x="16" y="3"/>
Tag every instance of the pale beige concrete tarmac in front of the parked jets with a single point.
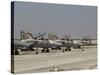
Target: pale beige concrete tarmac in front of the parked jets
<point x="46" y="62"/>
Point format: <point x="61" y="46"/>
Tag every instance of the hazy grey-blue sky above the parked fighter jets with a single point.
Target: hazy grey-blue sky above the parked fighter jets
<point x="79" y="21"/>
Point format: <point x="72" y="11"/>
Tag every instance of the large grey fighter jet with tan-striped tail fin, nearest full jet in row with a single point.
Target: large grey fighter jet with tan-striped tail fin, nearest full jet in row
<point x="31" y="43"/>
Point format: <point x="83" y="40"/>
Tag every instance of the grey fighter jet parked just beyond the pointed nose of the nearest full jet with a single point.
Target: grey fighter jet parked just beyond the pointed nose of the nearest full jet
<point x="67" y="43"/>
